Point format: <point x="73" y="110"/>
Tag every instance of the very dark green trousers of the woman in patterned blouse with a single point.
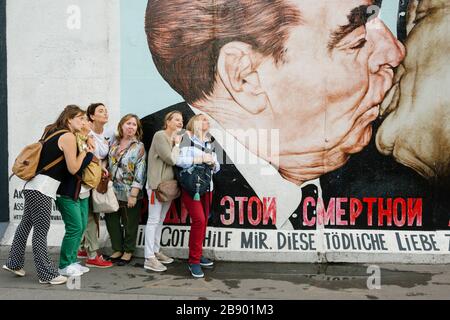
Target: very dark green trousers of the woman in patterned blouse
<point x="123" y="227"/>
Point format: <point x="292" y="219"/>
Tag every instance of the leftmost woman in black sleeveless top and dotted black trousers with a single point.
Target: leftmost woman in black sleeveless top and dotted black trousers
<point x="39" y="192"/>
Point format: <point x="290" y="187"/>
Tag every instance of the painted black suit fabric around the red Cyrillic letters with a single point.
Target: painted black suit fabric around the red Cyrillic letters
<point x="367" y="174"/>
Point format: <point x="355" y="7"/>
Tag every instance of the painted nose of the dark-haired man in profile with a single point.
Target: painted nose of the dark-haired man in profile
<point x="387" y="50"/>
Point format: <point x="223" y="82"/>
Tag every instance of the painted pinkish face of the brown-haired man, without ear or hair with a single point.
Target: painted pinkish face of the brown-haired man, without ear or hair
<point x="337" y="69"/>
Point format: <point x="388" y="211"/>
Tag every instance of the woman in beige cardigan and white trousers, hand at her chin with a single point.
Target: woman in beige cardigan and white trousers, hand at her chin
<point x="162" y="157"/>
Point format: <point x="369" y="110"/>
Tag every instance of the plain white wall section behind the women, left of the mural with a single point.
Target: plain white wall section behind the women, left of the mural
<point x="59" y="52"/>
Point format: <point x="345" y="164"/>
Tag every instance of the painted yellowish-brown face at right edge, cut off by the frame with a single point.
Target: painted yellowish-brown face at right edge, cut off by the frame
<point x="416" y="130"/>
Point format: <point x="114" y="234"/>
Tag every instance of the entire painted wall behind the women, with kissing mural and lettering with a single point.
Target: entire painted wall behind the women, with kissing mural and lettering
<point x="330" y="117"/>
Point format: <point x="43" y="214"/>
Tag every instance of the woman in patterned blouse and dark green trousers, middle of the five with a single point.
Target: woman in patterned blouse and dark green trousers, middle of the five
<point x="128" y="172"/>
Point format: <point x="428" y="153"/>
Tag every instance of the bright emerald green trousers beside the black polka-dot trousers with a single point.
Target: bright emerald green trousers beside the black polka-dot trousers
<point x="74" y="214"/>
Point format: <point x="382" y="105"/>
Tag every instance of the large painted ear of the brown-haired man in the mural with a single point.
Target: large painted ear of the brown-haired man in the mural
<point x="237" y="70"/>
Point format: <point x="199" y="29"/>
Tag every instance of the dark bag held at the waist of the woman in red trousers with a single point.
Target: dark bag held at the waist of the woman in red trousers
<point x="196" y="180"/>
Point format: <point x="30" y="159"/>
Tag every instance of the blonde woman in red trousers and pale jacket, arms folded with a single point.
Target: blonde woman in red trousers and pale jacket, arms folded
<point x="196" y="148"/>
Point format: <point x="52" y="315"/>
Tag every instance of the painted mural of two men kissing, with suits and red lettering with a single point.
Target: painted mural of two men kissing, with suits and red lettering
<point x="299" y="97"/>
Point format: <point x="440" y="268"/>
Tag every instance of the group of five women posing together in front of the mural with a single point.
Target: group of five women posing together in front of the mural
<point x="123" y="159"/>
